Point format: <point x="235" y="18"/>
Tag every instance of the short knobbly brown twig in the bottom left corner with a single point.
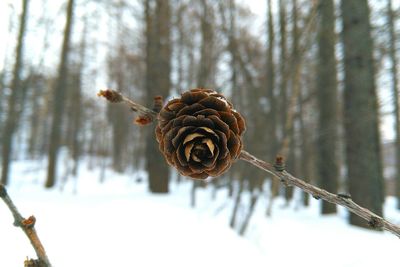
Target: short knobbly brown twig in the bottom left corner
<point x="28" y="226"/>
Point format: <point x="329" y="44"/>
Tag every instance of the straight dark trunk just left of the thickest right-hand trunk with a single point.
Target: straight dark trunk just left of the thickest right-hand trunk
<point x="328" y="166"/>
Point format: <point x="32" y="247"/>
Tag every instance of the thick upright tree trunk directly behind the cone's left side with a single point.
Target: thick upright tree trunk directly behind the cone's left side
<point x="158" y="54"/>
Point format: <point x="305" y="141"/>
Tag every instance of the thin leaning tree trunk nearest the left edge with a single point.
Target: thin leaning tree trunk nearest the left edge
<point x="16" y="93"/>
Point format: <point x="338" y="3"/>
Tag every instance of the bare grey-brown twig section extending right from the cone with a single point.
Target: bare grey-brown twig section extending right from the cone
<point x="286" y="178"/>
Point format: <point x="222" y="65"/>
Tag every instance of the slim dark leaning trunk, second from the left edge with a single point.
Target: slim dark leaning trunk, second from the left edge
<point x="59" y="100"/>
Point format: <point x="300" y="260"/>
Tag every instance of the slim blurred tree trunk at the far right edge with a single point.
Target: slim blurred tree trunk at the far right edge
<point x="395" y="92"/>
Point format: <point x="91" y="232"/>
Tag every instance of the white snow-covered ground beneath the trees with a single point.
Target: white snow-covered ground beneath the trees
<point x="118" y="223"/>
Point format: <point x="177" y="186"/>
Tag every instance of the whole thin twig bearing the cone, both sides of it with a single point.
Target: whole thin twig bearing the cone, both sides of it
<point x="277" y="170"/>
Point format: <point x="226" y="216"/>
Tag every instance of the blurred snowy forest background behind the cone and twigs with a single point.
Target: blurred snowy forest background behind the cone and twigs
<point x="317" y="82"/>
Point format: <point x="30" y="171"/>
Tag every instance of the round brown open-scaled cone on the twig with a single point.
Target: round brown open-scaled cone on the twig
<point x="200" y="133"/>
